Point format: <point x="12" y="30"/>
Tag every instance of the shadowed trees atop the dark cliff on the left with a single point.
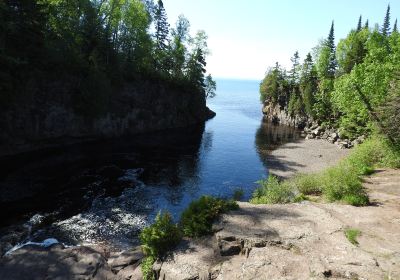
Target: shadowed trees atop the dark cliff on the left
<point x="102" y="43"/>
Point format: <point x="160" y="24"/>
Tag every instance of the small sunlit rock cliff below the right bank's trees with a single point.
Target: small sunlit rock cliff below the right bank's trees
<point x="276" y="114"/>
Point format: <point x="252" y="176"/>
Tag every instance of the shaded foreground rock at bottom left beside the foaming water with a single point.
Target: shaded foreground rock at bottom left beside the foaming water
<point x="57" y="262"/>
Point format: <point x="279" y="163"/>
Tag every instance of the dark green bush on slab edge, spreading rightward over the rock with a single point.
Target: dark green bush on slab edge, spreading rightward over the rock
<point x="197" y="219"/>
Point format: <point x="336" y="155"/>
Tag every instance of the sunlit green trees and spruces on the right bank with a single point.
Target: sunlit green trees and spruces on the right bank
<point x="344" y="85"/>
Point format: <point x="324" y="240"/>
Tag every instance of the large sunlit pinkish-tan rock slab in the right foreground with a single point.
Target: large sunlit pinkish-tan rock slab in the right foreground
<point x="299" y="241"/>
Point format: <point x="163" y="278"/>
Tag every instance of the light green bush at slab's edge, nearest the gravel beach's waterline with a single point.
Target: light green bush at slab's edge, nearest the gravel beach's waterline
<point x="272" y="191"/>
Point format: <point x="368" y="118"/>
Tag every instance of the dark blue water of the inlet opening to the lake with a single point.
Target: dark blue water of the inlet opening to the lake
<point x="108" y="191"/>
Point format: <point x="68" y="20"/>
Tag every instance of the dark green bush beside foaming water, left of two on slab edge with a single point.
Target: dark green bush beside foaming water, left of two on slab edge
<point x="162" y="236"/>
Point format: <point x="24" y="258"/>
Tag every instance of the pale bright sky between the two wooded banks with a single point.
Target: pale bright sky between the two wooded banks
<point x="247" y="37"/>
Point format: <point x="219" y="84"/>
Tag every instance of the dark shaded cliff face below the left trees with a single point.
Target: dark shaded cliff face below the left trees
<point x="49" y="116"/>
